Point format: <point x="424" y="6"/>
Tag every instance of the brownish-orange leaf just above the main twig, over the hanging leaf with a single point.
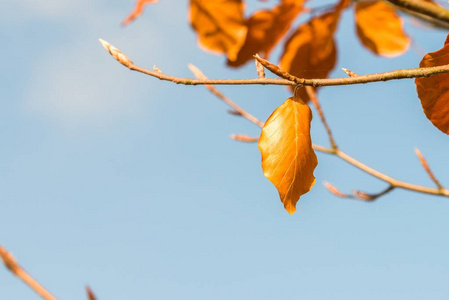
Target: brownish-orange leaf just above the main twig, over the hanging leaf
<point x="310" y="52"/>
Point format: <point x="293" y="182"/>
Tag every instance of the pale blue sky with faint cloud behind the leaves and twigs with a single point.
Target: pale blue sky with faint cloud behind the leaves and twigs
<point x="131" y="185"/>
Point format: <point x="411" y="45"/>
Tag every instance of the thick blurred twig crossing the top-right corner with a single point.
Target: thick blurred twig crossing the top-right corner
<point x="424" y="7"/>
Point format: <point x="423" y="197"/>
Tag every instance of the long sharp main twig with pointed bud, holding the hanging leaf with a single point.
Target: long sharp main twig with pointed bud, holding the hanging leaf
<point x="292" y="81"/>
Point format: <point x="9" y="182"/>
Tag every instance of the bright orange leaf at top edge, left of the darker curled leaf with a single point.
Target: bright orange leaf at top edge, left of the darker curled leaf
<point x="220" y="25"/>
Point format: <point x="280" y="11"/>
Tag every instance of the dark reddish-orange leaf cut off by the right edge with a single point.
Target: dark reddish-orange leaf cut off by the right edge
<point x="433" y="91"/>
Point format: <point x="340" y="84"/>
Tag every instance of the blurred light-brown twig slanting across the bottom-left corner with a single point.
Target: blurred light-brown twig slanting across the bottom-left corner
<point x="17" y="270"/>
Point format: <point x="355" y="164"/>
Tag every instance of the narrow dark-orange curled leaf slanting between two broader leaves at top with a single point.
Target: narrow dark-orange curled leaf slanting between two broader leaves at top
<point x="265" y="29"/>
